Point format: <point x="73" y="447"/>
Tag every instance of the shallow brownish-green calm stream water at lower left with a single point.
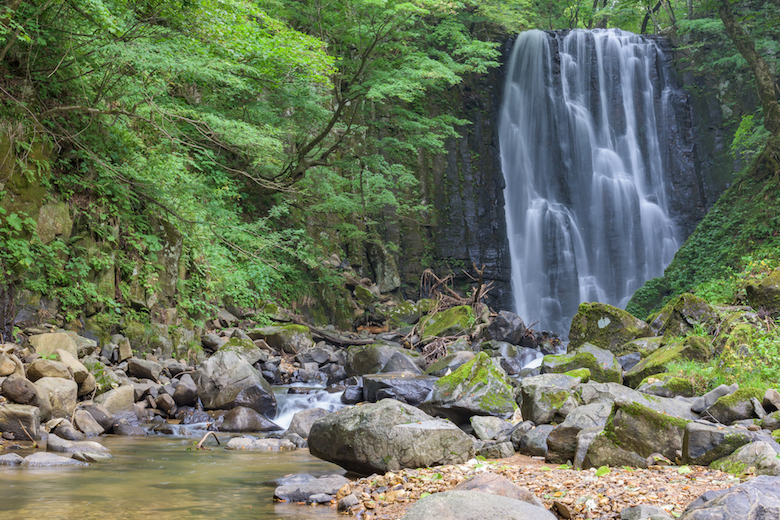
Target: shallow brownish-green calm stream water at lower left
<point x="157" y="477"/>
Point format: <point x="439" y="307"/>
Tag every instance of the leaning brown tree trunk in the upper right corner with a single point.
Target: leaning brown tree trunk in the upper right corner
<point x="764" y="82"/>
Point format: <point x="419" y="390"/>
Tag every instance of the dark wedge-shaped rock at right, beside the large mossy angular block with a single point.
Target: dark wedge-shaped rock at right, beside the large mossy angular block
<point x="705" y="443"/>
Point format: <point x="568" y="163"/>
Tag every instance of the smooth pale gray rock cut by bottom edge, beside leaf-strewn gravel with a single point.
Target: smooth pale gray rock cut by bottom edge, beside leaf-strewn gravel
<point x="469" y="505"/>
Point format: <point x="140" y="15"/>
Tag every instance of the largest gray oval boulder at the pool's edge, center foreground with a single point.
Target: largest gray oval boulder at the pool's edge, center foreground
<point x="387" y="436"/>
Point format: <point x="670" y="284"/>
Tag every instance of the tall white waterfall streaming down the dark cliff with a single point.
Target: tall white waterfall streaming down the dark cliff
<point x="585" y="160"/>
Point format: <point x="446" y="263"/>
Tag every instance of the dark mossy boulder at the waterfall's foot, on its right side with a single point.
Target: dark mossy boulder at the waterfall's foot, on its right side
<point x="606" y="327"/>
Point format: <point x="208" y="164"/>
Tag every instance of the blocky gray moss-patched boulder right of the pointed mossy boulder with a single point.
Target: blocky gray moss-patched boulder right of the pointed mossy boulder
<point x="548" y="398"/>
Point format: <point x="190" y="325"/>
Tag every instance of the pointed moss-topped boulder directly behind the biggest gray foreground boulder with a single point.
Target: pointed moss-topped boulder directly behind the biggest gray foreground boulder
<point x="478" y="387"/>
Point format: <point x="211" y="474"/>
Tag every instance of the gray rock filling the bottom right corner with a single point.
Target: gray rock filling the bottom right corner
<point x="756" y="499"/>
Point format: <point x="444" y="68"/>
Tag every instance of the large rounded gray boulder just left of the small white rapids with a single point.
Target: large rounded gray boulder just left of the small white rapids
<point x="227" y="379"/>
